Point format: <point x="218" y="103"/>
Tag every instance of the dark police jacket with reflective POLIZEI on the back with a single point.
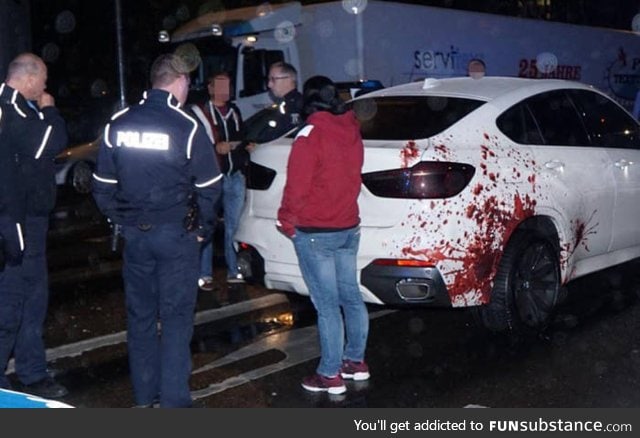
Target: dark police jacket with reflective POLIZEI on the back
<point x="152" y="157"/>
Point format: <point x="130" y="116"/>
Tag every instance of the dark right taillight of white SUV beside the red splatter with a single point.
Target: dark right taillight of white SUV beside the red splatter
<point x="427" y="179"/>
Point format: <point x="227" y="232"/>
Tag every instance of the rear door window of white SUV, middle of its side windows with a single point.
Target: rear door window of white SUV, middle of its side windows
<point x="558" y="119"/>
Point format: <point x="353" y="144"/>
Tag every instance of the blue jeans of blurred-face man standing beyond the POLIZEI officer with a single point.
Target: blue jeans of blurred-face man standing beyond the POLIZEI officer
<point x="233" y="194"/>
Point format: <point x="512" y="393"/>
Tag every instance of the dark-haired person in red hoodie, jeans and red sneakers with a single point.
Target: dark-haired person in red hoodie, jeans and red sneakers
<point x="319" y="212"/>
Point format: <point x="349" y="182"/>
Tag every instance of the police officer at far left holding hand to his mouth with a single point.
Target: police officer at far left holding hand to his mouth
<point x="33" y="133"/>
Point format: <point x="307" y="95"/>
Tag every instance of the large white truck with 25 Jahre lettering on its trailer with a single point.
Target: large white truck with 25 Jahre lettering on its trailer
<point x="394" y="43"/>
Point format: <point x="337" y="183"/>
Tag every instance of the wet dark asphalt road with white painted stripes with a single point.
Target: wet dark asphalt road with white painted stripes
<point x="252" y="347"/>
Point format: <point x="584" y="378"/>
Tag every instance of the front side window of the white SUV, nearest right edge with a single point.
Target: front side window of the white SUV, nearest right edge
<point x="608" y="125"/>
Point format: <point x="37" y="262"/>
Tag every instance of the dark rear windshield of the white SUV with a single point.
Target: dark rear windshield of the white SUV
<point x="409" y="117"/>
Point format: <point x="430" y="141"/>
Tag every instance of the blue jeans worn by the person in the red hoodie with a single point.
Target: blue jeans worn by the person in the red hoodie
<point x="328" y="265"/>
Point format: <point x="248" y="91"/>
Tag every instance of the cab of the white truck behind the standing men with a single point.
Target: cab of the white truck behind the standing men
<point x="244" y="42"/>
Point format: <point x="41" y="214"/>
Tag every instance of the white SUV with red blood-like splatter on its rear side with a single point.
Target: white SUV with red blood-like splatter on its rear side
<point x="489" y="193"/>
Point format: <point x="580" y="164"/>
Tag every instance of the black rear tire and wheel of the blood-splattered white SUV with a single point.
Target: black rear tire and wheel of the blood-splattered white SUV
<point x="526" y="287"/>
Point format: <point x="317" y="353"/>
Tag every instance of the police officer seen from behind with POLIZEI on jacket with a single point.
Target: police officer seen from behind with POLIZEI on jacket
<point x="153" y="159"/>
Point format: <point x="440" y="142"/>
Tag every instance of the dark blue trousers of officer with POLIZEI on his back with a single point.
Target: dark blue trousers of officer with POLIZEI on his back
<point x="160" y="273"/>
